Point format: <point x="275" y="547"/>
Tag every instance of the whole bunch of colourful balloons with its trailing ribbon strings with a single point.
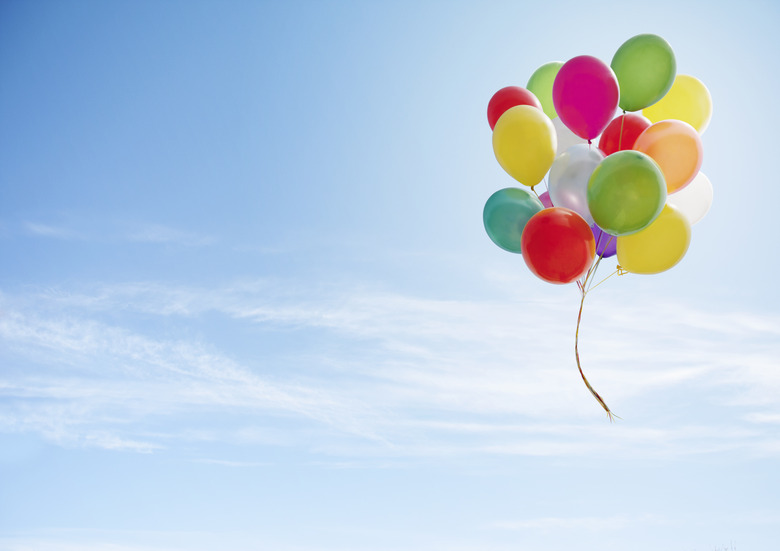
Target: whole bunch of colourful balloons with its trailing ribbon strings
<point x="619" y="147"/>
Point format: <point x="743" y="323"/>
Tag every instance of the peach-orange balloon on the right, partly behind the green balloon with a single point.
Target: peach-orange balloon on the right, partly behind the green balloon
<point x="676" y="147"/>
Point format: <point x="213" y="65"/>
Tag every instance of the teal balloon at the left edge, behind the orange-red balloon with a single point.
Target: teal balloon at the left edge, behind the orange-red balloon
<point x="505" y="215"/>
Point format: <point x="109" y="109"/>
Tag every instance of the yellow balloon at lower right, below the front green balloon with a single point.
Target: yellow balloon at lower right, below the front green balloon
<point x="658" y="247"/>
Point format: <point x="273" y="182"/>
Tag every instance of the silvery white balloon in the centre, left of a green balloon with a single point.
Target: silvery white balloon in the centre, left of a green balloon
<point x="569" y="175"/>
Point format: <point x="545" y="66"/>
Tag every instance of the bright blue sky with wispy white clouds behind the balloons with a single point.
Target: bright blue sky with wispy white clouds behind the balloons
<point x="247" y="301"/>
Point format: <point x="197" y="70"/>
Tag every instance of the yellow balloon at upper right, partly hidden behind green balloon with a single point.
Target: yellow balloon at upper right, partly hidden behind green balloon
<point x="688" y="100"/>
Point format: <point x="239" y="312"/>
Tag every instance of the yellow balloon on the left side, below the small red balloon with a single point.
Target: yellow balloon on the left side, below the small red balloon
<point x="524" y="142"/>
